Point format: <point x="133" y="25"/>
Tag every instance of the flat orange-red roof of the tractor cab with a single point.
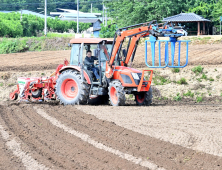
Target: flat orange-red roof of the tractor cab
<point x="89" y="40"/>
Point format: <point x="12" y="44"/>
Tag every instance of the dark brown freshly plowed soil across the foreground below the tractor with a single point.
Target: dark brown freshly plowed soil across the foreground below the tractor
<point x="56" y="149"/>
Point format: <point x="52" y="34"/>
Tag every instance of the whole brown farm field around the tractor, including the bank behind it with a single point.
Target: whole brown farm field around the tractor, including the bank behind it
<point x="169" y="134"/>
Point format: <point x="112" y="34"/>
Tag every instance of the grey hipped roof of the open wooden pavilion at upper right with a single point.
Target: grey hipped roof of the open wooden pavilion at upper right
<point x="186" y="17"/>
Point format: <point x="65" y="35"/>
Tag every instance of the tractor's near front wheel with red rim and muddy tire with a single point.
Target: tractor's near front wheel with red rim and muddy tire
<point x="119" y="98"/>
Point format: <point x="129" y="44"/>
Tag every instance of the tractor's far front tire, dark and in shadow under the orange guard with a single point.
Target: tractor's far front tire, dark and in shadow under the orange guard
<point x="144" y="98"/>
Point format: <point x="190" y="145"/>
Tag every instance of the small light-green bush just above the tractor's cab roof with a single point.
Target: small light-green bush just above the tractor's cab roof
<point x="108" y="31"/>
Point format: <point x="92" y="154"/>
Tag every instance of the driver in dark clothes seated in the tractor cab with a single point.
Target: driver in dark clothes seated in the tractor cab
<point x="89" y="62"/>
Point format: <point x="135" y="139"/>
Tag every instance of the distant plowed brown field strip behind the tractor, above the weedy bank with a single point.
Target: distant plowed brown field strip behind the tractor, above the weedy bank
<point x="205" y="54"/>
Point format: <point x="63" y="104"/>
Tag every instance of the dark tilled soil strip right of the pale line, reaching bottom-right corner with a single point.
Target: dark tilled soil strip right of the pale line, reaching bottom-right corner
<point x="161" y="153"/>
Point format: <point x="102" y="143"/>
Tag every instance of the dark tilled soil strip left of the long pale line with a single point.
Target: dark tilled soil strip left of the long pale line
<point x="54" y="147"/>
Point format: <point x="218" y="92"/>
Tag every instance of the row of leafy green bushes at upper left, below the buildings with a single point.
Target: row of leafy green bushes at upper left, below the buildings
<point x="30" y="25"/>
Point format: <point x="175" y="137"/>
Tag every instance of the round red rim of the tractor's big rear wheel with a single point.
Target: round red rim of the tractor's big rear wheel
<point x="69" y="89"/>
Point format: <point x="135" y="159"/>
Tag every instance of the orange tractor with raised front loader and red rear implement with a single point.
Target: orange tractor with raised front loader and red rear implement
<point x="74" y="84"/>
